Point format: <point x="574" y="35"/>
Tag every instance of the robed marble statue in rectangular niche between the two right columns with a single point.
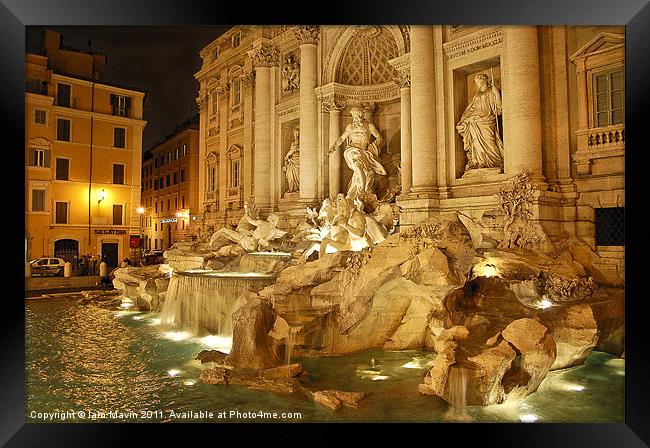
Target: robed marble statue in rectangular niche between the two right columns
<point x="479" y="127"/>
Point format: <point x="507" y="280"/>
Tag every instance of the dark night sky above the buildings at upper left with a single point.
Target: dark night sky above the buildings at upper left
<point x="161" y="60"/>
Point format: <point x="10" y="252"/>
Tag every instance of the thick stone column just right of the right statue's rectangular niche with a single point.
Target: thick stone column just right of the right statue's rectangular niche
<point x="522" y="122"/>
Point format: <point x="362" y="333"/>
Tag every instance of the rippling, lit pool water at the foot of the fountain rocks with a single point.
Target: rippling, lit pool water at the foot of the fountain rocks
<point x="117" y="366"/>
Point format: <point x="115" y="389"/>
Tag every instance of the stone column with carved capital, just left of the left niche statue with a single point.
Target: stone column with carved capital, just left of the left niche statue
<point x="263" y="58"/>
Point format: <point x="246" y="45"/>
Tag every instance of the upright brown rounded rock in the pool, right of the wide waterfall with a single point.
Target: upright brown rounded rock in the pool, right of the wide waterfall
<point x="252" y="346"/>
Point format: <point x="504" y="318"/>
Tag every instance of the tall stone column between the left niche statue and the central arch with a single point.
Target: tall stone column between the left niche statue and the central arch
<point x="307" y="35"/>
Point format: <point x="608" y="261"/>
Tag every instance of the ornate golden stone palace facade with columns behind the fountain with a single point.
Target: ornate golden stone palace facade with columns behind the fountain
<point x="561" y="118"/>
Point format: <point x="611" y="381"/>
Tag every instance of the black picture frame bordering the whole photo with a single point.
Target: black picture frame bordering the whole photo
<point x="16" y="14"/>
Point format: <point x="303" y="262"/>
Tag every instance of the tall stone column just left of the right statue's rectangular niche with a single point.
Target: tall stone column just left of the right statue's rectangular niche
<point x="423" y="102"/>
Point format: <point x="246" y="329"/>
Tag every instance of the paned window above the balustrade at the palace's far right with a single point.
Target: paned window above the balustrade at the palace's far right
<point x="608" y="98"/>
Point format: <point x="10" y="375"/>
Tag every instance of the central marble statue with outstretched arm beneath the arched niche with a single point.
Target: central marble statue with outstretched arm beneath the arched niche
<point x="361" y="155"/>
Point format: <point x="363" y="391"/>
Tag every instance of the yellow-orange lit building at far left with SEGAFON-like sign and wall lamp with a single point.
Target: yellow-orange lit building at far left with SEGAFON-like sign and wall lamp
<point x="83" y="151"/>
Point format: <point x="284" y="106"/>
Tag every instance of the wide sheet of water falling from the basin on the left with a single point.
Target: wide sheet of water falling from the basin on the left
<point x="204" y="303"/>
